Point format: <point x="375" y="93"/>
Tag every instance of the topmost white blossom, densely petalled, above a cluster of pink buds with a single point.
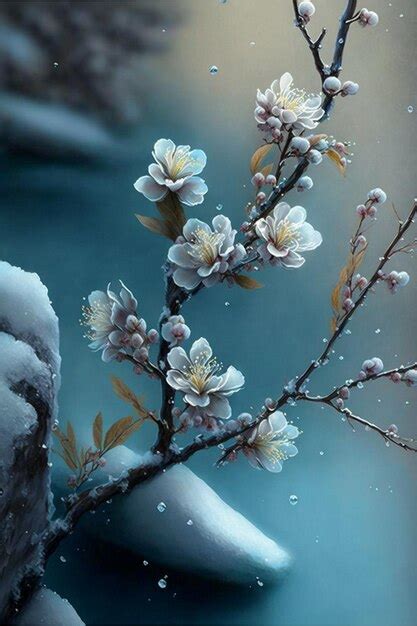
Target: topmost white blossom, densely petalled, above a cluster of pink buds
<point x="282" y="104"/>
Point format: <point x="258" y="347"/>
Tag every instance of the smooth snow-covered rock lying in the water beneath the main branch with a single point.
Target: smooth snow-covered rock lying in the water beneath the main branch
<point x="197" y="532"/>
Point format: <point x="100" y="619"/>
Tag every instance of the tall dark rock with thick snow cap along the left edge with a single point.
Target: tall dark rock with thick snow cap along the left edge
<point x="29" y="379"/>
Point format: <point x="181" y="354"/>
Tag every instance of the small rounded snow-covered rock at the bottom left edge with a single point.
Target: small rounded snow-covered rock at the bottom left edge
<point x="47" y="608"/>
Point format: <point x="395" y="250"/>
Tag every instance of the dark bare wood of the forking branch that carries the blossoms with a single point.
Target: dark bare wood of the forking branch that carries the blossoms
<point x="166" y="453"/>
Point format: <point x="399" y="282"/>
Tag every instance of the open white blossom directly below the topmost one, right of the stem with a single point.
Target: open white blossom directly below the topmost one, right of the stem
<point x="285" y="235"/>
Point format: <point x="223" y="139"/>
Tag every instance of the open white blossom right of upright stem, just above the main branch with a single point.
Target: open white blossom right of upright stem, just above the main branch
<point x="197" y="377"/>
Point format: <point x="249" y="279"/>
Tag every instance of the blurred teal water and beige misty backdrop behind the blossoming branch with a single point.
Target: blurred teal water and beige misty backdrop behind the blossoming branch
<point x="353" y="531"/>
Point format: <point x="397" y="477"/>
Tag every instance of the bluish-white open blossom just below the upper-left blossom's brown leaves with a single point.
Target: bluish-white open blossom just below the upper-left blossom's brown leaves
<point x="204" y="254"/>
